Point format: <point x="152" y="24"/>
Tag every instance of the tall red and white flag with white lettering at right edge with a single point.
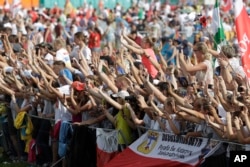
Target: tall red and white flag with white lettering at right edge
<point x="242" y="23"/>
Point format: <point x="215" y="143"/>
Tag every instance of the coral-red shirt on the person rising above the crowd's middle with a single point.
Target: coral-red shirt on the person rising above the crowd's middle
<point x="147" y="63"/>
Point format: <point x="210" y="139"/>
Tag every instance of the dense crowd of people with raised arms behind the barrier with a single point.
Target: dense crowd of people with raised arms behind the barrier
<point x="152" y="66"/>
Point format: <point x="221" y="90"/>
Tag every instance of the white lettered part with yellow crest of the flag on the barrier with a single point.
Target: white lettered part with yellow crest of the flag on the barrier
<point x="170" y="147"/>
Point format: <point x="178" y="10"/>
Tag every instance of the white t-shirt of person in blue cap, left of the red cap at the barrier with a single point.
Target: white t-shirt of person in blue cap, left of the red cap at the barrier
<point x="61" y="112"/>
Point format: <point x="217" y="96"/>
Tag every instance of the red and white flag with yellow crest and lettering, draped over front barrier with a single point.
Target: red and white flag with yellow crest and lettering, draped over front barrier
<point x="158" y="149"/>
